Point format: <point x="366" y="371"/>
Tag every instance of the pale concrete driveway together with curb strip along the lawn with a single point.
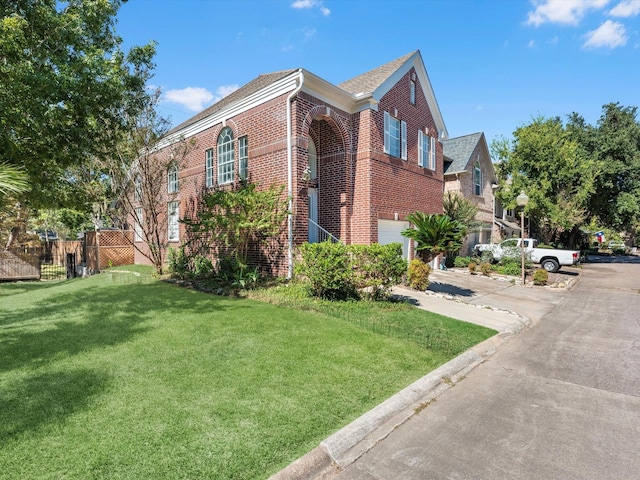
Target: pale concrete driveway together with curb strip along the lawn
<point x="483" y="301"/>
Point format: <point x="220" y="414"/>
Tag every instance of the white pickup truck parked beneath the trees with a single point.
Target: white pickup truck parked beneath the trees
<point x="550" y="259"/>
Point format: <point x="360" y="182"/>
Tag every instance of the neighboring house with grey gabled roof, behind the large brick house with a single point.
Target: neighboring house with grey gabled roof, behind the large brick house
<point x="468" y="170"/>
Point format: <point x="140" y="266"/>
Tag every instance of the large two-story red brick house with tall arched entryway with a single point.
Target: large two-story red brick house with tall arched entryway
<point x="356" y="158"/>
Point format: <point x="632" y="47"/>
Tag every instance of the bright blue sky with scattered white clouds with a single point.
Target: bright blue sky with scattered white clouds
<point x="494" y="65"/>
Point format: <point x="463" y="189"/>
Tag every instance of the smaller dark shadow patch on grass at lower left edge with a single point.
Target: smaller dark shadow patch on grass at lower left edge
<point x="42" y="399"/>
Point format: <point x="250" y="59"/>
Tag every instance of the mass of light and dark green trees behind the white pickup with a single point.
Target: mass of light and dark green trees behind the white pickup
<point x="573" y="173"/>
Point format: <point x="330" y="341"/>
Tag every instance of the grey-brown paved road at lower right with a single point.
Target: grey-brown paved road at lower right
<point x="560" y="401"/>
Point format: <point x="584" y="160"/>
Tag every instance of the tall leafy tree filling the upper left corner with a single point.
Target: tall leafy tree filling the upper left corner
<point x="64" y="82"/>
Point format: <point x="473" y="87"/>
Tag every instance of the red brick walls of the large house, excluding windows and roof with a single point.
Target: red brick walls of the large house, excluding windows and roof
<point x="358" y="183"/>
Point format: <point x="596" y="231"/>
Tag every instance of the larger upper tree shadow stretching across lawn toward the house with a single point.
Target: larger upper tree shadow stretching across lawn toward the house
<point x="71" y="322"/>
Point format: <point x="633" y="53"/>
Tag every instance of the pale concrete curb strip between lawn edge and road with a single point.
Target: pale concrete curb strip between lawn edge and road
<point x="345" y="446"/>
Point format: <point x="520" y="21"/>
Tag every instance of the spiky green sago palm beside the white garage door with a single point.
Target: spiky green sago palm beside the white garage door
<point x="434" y="234"/>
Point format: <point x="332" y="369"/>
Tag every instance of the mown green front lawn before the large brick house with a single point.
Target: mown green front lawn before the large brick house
<point x="119" y="376"/>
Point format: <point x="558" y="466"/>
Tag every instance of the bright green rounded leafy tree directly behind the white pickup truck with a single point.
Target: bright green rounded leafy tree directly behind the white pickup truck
<point x="547" y="162"/>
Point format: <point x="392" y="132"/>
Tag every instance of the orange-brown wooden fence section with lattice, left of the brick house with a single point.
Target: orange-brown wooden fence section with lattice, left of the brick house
<point x="108" y="248"/>
